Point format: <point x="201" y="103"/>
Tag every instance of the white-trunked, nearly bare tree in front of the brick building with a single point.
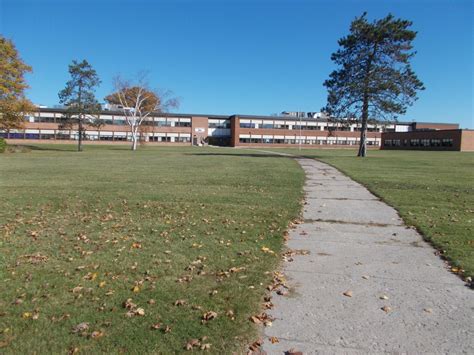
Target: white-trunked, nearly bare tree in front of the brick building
<point x="138" y="101"/>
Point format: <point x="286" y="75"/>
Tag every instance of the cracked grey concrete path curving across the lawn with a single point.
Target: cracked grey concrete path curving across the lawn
<point x="359" y="244"/>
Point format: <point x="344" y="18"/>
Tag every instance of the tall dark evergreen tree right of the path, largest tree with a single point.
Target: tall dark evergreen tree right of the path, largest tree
<point x="374" y="78"/>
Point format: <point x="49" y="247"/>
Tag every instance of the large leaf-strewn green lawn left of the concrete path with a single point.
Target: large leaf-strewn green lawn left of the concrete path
<point x="82" y="233"/>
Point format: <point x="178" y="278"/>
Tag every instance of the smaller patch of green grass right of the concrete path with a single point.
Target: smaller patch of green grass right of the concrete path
<point x="433" y="191"/>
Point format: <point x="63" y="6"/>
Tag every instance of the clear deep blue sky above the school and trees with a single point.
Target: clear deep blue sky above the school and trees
<point x="231" y="56"/>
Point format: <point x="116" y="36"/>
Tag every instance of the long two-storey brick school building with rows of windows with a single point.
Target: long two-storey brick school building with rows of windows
<point x="44" y="125"/>
